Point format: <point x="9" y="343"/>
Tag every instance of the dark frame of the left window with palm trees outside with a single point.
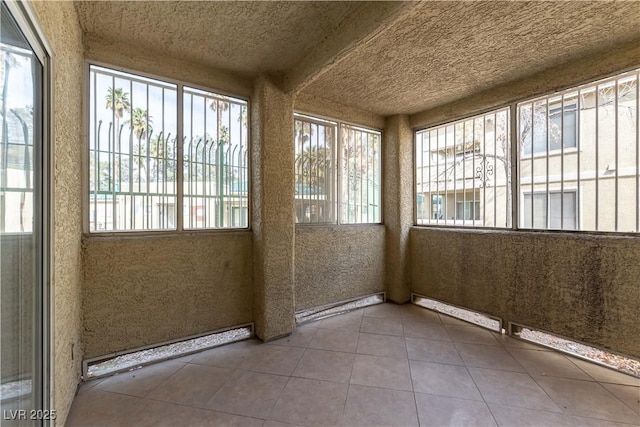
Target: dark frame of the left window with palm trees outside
<point x="180" y="86"/>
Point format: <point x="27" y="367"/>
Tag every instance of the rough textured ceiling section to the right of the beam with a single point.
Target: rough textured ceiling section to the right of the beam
<point x="445" y="51"/>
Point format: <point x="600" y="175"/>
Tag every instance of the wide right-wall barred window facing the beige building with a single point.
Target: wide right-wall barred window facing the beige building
<point x="578" y="154"/>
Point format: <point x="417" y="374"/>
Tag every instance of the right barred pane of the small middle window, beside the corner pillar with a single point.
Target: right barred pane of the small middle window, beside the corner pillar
<point x="360" y="183"/>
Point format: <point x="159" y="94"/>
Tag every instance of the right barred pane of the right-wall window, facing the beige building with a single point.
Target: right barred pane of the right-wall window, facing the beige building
<point x="579" y="158"/>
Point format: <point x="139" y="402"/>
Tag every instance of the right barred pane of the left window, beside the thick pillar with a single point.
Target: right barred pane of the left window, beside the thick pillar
<point x="215" y="151"/>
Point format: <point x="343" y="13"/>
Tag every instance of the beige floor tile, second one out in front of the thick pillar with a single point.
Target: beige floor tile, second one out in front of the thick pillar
<point x="251" y="394"/>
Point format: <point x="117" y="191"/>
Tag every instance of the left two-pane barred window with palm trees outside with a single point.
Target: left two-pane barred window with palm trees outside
<point x="138" y="144"/>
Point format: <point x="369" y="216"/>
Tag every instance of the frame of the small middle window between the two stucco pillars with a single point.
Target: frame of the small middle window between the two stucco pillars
<point x="337" y="173"/>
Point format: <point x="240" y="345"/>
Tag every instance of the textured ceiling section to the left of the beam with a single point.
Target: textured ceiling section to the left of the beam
<point x="245" y="37"/>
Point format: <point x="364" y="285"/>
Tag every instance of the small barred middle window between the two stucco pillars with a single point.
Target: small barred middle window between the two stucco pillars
<point x="337" y="172"/>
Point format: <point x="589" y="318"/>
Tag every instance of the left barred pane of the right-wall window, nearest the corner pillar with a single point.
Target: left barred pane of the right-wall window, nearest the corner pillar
<point x="463" y="172"/>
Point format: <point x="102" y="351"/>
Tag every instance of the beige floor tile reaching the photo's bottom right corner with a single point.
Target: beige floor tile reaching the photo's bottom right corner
<point x="587" y="399"/>
